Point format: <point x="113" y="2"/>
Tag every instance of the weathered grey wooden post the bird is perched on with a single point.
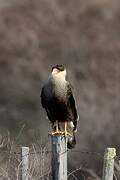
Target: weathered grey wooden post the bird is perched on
<point x="59" y="157"/>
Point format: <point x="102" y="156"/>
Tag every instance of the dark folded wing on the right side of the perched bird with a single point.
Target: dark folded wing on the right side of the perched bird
<point x="72" y="106"/>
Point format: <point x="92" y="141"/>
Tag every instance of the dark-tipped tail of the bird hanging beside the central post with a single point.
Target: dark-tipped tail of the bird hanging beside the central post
<point x="71" y="141"/>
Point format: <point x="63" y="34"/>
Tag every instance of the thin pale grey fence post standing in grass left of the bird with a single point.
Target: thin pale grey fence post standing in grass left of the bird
<point x="24" y="162"/>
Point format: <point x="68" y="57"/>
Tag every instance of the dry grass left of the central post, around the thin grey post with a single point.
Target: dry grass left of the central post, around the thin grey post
<point x="39" y="164"/>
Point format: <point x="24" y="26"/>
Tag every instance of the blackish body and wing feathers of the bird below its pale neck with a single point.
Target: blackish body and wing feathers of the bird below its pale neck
<point x="57" y="108"/>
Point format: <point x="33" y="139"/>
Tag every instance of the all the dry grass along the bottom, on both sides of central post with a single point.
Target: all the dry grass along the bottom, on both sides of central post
<point x="39" y="164"/>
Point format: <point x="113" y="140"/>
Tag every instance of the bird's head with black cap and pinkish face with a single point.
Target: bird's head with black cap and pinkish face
<point x="59" y="71"/>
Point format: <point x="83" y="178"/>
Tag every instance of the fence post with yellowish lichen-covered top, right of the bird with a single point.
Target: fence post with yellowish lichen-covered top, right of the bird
<point x="108" y="166"/>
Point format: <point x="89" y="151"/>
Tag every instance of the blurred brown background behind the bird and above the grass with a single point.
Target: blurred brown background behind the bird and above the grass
<point x="84" y="35"/>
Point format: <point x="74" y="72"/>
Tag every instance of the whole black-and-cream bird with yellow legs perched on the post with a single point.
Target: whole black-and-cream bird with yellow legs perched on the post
<point x="58" y="101"/>
